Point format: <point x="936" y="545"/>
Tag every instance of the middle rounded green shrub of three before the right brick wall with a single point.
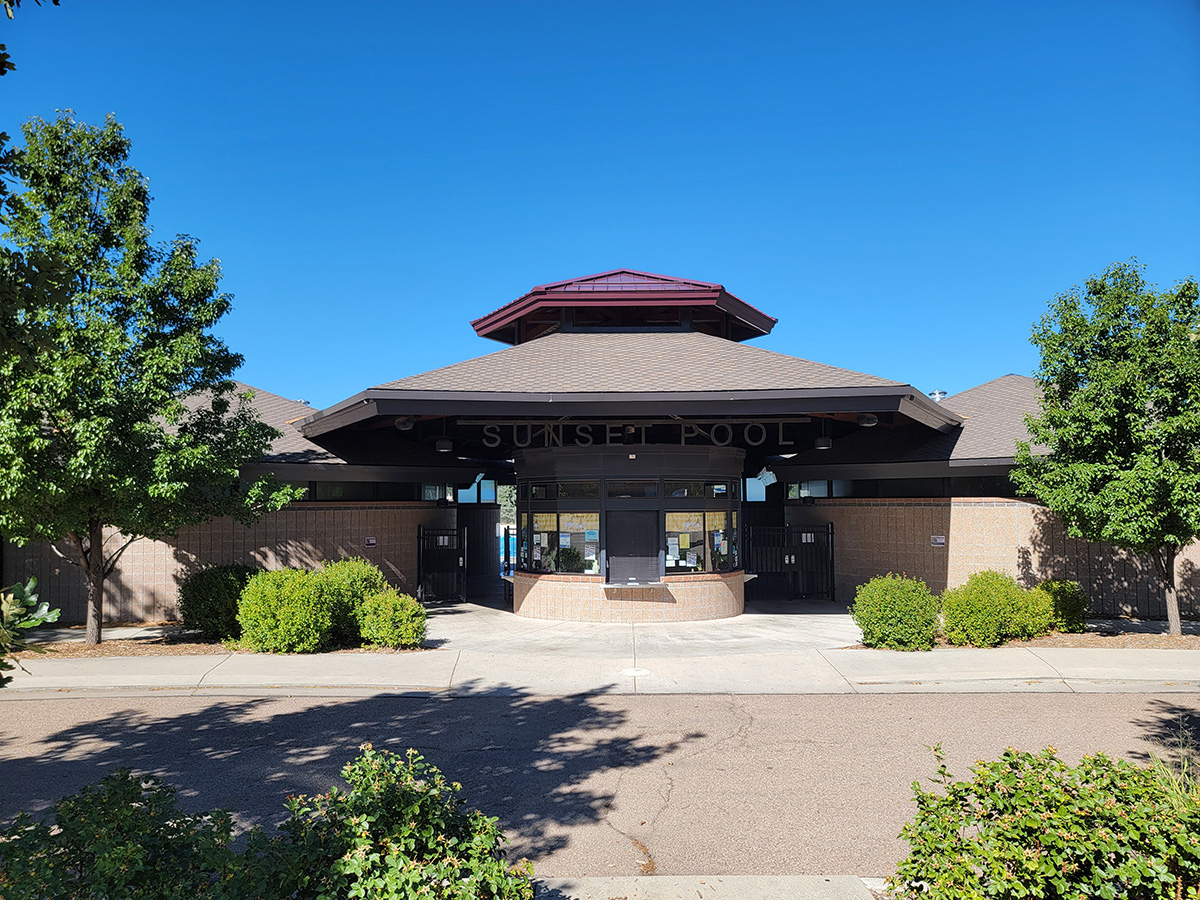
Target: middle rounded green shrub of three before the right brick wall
<point x="991" y="609"/>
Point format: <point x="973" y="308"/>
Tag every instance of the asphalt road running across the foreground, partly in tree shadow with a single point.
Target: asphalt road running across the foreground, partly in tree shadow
<point x="591" y="785"/>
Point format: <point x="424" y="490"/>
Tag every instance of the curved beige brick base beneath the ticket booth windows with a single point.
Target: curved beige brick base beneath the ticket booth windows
<point x="586" y="598"/>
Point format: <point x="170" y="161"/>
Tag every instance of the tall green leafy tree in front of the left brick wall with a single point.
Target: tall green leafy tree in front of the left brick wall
<point x="117" y="410"/>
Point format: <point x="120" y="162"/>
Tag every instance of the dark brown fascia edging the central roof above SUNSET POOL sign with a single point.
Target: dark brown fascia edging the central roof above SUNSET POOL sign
<point x="885" y="399"/>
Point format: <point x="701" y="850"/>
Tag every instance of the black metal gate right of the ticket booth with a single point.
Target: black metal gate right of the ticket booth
<point x="801" y="560"/>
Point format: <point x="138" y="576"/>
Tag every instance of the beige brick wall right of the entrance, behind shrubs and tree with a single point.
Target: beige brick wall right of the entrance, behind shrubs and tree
<point x="1023" y="539"/>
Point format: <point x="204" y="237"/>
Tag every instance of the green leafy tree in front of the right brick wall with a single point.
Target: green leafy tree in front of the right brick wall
<point x="1120" y="380"/>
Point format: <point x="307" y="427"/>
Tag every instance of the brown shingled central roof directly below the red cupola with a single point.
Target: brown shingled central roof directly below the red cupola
<point x="568" y="363"/>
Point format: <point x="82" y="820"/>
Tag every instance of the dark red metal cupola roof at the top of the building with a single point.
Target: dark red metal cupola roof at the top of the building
<point x="622" y="301"/>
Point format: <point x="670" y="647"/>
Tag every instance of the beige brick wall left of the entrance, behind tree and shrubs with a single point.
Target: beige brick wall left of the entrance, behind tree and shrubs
<point x="146" y="584"/>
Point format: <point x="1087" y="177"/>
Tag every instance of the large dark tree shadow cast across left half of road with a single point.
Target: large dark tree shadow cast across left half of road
<point x="542" y="765"/>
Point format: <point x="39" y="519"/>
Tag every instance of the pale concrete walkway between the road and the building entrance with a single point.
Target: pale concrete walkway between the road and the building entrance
<point x="784" y="649"/>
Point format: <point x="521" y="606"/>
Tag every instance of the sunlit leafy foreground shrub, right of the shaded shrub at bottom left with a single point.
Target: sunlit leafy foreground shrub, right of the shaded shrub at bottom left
<point x="398" y="833"/>
